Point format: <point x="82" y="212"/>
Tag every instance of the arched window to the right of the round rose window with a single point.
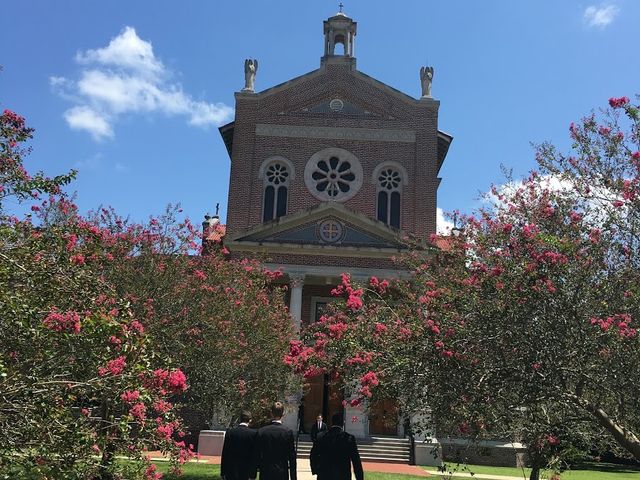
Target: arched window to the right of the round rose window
<point x="389" y="179"/>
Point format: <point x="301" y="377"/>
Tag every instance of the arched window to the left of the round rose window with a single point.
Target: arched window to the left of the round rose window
<point x="276" y="174"/>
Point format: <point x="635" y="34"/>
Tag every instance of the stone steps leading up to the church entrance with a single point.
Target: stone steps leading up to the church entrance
<point x="372" y="449"/>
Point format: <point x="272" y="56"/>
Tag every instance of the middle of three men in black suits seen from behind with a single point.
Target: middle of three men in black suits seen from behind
<point x="275" y="449"/>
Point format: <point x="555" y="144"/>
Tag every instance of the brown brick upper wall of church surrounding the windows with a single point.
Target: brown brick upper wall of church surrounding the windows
<point x="282" y="106"/>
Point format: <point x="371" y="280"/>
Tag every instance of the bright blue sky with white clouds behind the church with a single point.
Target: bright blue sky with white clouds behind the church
<point x="130" y="93"/>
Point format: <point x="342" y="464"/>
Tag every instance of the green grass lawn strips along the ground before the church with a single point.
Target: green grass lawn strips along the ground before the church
<point x="194" y="471"/>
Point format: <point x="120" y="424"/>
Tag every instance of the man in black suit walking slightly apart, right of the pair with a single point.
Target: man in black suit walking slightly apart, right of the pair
<point x="334" y="452"/>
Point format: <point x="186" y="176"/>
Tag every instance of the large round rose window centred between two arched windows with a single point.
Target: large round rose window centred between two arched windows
<point x="333" y="174"/>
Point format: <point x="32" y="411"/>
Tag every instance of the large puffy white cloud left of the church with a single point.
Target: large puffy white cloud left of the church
<point x="125" y="77"/>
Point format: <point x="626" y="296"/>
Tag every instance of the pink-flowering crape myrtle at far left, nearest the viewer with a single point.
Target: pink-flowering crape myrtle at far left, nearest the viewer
<point x="79" y="380"/>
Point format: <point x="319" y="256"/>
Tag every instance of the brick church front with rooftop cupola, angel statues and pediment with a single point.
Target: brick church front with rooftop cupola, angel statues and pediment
<point x="330" y="171"/>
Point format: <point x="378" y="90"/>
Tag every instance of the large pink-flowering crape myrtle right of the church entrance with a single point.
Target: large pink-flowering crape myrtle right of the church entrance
<point x="523" y="327"/>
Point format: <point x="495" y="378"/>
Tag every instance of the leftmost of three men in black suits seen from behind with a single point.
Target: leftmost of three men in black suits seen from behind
<point x="238" y="451"/>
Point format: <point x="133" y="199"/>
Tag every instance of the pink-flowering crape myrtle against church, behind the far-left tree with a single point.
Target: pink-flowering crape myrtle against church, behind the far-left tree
<point x="224" y="321"/>
